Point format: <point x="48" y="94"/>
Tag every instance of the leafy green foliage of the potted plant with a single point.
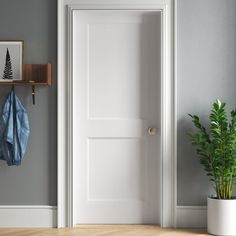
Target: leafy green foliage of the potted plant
<point x="217" y="148"/>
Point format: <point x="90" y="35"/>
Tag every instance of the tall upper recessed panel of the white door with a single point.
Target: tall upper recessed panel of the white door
<point x="122" y="85"/>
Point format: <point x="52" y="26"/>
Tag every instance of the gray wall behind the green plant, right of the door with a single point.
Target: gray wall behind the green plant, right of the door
<point x="206" y="71"/>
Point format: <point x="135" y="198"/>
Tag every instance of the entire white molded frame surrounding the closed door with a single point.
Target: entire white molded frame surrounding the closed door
<point x="65" y="103"/>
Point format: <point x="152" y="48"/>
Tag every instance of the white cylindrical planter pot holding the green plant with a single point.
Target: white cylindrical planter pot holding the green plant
<point x="221" y="217"/>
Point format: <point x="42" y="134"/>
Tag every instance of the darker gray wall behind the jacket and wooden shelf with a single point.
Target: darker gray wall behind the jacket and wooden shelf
<point x="34" y="182"/>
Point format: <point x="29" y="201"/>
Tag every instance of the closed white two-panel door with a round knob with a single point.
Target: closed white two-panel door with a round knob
<point x="117" y="98"/>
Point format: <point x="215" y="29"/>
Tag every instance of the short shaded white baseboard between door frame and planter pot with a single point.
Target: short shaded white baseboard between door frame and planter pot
<point x="191" y="216"/>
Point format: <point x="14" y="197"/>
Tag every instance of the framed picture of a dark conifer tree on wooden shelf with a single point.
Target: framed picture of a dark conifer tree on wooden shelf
<point x="11" y="60"/>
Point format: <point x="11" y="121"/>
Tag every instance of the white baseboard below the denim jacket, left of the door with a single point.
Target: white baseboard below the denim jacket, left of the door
<point x="28" y="216"/>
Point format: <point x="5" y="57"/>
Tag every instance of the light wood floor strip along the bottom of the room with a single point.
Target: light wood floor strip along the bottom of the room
<point x="104" y="230"/>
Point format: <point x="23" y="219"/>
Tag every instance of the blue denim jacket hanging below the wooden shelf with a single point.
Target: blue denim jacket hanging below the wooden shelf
<point x="14" y="130"/>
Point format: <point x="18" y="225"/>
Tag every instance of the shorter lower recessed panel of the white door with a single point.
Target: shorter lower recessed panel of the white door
<point x="125" y="155"/>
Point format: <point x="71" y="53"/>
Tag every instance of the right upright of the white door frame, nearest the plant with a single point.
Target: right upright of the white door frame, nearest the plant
<point x="168" y="120"/>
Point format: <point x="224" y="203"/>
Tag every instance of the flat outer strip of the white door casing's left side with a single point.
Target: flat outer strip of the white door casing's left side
<point x="61" y="124"/>
